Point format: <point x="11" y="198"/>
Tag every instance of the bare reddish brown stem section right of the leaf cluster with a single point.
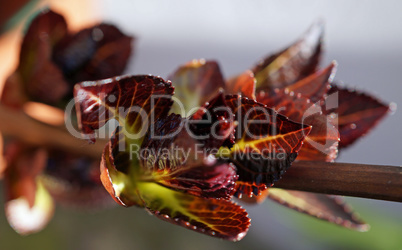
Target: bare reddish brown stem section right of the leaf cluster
<point x="349" y="179"/>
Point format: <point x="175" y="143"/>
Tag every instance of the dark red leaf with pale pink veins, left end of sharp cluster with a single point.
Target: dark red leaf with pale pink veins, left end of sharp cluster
<point x="129" y="99"/>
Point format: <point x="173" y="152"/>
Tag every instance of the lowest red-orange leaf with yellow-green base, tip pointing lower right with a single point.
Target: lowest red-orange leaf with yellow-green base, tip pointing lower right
<point x="219" y="218"/>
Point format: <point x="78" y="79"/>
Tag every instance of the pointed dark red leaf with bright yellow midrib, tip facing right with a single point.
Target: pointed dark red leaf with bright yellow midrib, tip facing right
<point x="266" y="144"/>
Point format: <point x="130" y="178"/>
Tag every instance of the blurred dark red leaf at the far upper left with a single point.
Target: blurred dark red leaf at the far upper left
<point x="37" y="78"/>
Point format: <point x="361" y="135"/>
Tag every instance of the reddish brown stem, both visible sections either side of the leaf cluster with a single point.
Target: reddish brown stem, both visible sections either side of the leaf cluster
<point x="358" y="180"/>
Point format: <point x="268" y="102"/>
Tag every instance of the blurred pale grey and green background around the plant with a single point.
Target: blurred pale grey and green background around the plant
<point x="364" y="37"/>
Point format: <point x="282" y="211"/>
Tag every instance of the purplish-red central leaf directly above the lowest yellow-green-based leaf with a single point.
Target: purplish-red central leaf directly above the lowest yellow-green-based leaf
<point x="180" y="162"/>
